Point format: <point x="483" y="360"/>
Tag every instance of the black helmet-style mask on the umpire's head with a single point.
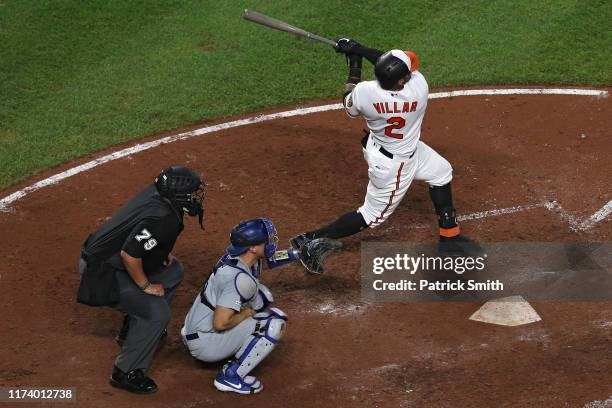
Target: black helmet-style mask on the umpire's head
<point x="185" y="190"/>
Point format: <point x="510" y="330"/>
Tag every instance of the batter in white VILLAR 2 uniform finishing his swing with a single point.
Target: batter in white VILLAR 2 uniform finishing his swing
<point x="393" y="107"/>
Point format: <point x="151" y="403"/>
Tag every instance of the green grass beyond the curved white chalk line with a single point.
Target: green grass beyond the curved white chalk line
<point x="79" y="76"/>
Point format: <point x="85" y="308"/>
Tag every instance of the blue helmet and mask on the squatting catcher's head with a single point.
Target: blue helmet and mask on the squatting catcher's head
<point x="253" y="232"/>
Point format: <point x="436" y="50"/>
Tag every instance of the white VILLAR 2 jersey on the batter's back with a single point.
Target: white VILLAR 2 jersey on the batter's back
<point x="394" y="117"/>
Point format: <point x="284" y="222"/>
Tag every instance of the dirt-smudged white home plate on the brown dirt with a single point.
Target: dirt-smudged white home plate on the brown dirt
<point x="508" y="311"/>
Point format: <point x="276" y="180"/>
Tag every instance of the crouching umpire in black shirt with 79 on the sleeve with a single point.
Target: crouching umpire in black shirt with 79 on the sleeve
<point x="127" y="264"/>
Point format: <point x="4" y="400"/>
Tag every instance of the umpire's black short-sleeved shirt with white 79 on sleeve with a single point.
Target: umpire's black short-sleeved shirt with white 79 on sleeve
<point x="146" y="227"/>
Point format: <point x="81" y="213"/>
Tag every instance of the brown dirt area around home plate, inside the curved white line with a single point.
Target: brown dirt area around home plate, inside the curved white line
<point x="338" y="352"/>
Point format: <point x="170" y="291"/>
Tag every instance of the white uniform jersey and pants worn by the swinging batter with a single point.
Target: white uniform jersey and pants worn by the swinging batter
<point x="395" y="119"/>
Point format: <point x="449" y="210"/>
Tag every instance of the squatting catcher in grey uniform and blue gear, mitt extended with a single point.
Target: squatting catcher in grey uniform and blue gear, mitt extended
<point x="231" y="317"/>
